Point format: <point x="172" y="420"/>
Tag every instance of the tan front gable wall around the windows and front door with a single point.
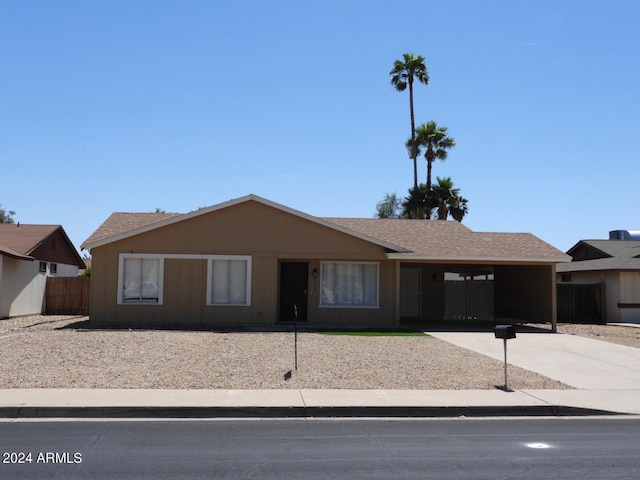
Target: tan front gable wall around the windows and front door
<point x="267" y="234"/>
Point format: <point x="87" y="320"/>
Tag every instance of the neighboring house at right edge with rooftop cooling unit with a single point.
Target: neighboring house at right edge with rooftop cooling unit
<point x="612" y="267"/>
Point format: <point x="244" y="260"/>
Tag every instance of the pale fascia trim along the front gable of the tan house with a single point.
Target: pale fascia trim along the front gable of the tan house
<point x="237" y="201"/>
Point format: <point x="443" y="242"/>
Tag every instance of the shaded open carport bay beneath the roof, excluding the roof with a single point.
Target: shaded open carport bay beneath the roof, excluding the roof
<point x="470" y="292"/>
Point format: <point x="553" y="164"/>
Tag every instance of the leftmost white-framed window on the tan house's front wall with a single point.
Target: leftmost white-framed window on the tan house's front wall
<point x="141" y="279"/>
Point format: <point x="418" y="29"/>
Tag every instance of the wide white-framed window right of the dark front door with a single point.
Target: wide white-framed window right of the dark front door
<point x="349" y="284"/>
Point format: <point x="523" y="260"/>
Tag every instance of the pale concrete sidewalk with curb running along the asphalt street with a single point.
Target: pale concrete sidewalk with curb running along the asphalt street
<point x="30" y="403"/>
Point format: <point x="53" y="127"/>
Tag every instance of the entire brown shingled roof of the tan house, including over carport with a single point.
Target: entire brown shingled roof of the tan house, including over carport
<point x="402" y="239"/>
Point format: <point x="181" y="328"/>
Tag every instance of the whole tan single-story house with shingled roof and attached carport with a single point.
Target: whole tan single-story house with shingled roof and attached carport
<point x="251" y="261"/>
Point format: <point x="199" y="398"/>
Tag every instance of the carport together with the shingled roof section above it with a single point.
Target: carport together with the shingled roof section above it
<point x="447" y="272"/>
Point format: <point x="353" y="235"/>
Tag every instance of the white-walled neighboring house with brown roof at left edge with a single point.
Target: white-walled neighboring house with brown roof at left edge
<point x="28" y="255"/>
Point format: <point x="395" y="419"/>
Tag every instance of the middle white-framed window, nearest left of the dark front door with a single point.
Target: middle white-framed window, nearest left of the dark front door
<point x="229" y="280"/>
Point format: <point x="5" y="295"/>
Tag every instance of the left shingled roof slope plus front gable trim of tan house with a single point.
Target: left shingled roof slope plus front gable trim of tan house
<point x="124" y="225"/>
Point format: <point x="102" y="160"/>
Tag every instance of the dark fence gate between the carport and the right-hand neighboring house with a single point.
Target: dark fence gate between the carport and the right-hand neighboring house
<point x="580" y="303"/>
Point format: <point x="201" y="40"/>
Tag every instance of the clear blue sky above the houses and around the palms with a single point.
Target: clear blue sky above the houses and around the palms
<point x="136" y="105"/>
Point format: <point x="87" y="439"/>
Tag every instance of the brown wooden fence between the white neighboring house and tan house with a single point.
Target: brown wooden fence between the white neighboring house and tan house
<point x="67" y="296"/>
